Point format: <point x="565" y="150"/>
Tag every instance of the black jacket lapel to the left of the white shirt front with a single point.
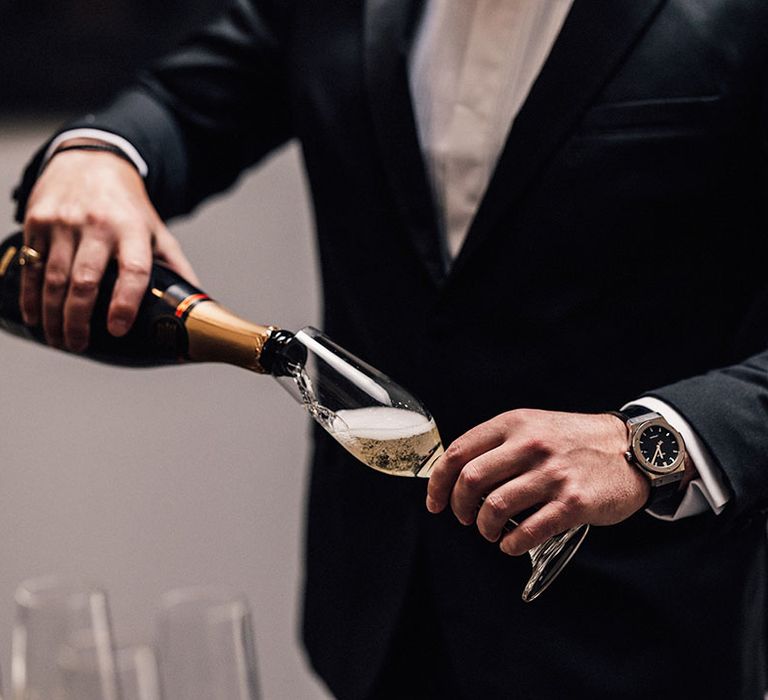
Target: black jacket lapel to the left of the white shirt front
<point x="389" y="28"/>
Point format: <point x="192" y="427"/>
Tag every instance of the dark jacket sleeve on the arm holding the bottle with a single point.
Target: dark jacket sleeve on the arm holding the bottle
<point x="210" y="109"/>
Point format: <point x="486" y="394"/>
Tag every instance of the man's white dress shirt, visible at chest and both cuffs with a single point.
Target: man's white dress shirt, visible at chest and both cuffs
<point x="472" y="66"/>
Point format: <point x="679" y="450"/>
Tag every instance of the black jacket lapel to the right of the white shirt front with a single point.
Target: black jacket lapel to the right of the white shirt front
<point x="596" y="35"/>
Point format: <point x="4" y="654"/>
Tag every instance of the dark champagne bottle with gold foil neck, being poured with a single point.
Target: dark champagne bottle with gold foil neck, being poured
<point x="176" y="323"/>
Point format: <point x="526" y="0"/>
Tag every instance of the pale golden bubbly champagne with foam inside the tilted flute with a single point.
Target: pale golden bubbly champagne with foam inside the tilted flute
<point x="392" y="440"/>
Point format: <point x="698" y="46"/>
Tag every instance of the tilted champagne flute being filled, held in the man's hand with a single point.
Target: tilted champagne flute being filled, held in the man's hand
<point x="388" y="429"/>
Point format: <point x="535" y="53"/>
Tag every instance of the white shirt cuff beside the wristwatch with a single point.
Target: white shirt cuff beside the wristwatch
<point x="708" y="490"/>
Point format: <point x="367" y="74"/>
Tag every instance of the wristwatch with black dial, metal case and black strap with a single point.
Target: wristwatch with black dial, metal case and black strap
<point x="657" y="450"/>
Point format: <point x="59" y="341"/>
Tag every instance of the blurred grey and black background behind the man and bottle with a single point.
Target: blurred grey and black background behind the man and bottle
<point x="148" y="480"/>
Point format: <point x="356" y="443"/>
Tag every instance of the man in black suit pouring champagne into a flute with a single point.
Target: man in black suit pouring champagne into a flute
<point x="529" y="214"/>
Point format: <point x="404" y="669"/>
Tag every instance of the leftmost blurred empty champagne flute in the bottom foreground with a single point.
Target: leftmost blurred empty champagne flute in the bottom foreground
<point x="54" y="618"/>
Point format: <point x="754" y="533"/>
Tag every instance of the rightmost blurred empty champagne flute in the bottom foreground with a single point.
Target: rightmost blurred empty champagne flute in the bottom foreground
<point x="205" y="646"/>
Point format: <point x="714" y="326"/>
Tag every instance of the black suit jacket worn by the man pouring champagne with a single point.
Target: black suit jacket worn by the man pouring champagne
<point x="620" y="251"/>
